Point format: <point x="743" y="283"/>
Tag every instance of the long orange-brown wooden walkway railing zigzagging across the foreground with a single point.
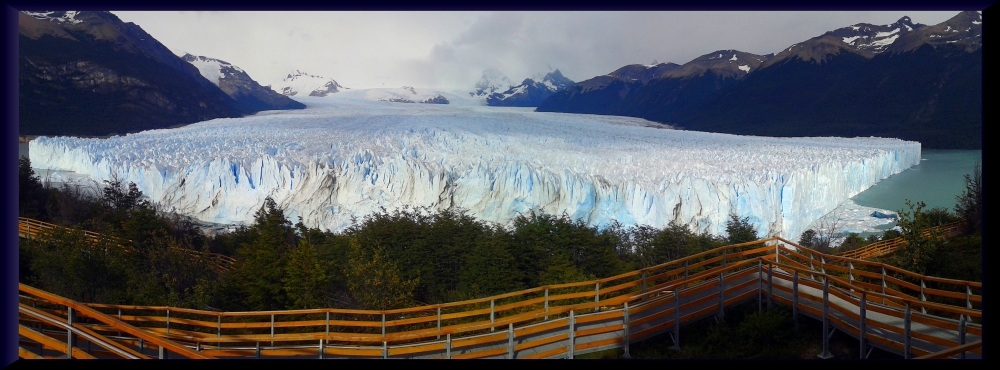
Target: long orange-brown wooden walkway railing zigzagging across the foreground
<point x="570" y="319"/>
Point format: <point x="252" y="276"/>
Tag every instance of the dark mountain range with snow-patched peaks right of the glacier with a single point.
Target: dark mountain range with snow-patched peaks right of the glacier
<point x="902" y="80"/>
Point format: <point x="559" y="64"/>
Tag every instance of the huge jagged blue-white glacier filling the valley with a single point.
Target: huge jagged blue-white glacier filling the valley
<point x="345" y="156"/>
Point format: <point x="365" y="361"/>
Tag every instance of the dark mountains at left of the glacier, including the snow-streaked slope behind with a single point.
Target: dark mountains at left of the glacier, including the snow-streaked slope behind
<point x="88" y="73"/>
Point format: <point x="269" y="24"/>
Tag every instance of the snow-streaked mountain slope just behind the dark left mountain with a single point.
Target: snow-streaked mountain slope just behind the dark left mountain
<point x="236" y="83"/>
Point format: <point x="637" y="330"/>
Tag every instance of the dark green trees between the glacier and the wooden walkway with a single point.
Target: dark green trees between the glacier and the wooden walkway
<point x="386" y="260"/>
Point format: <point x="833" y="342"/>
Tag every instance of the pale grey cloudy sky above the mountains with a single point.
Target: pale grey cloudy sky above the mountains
<point x="450" y="50"/>
